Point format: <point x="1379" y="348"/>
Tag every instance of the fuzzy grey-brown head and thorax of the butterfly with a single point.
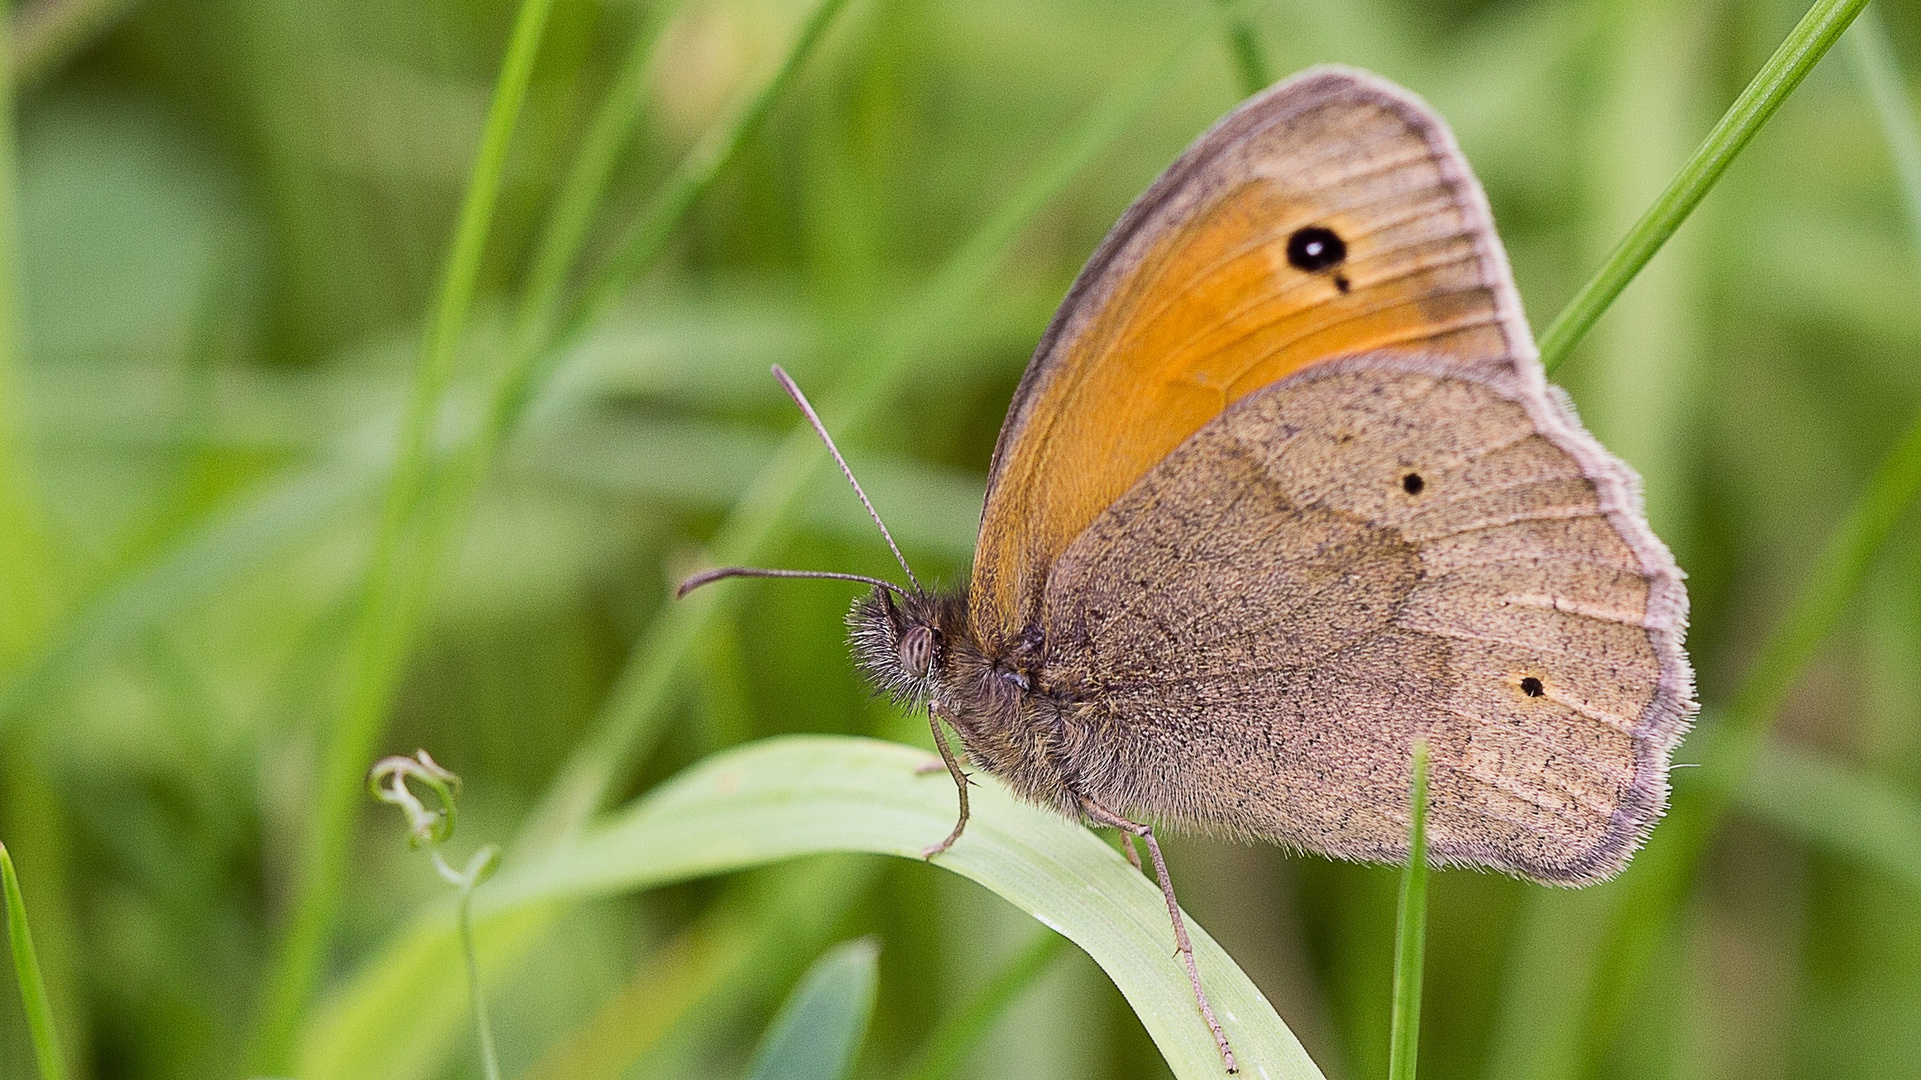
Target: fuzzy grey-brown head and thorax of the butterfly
<point x="921" y="650"/>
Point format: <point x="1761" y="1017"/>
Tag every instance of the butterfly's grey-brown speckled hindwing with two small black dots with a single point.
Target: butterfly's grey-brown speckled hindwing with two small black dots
<point x="1369" y="552"/>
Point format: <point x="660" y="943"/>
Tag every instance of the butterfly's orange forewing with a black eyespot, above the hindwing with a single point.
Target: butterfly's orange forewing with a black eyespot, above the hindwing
<point x="1192" y="303"/>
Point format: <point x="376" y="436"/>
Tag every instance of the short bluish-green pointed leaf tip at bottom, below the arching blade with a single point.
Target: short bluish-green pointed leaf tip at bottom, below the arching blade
<point x="821" y="1025"/>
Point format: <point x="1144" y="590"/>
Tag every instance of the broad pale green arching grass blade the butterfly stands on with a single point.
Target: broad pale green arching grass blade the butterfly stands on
<point x="810" y="795"/>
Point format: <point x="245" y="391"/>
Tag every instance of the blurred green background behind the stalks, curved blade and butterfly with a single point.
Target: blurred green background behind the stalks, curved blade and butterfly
<point x="233" y="218"/>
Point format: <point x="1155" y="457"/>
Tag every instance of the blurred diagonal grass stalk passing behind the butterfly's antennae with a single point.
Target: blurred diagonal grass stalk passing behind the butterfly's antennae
<point x="631" y="718"/>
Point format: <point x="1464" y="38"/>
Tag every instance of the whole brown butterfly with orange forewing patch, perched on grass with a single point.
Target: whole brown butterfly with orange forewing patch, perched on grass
<point x="1286" y="491"/>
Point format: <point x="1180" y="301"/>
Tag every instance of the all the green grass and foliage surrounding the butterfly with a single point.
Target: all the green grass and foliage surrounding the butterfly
<point x="233" y="235"/>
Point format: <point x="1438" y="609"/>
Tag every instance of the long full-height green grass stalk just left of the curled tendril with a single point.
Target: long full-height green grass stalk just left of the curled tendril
<point x="391" y="589"/>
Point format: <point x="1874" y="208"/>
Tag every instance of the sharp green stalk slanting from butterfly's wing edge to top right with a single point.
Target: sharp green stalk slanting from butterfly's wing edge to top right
<point x="1805" y="47"/>
